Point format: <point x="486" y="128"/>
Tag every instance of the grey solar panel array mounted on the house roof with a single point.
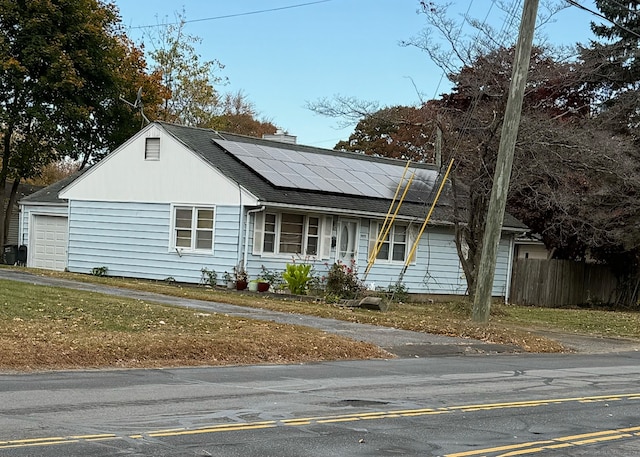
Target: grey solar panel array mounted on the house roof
<point x="329" y="173"/>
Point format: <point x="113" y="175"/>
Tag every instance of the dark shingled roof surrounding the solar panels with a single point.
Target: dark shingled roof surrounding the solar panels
<point x="202" y="141"/>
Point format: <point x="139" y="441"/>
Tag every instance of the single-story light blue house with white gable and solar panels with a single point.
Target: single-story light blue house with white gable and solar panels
<point x="173" y="200"/>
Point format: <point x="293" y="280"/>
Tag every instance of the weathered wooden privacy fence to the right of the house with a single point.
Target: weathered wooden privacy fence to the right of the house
<point x="561" y="283"/>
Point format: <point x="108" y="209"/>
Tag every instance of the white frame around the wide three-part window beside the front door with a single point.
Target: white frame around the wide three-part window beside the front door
<point x="277" y="234"/>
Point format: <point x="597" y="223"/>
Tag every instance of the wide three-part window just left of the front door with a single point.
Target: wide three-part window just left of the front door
<point x="289" y="233"/>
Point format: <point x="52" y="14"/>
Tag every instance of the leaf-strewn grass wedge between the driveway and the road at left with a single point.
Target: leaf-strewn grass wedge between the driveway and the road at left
<point x="53" y="328"/>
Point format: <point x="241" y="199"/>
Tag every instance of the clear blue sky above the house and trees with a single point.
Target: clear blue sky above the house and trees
<point x="282" y="59"/>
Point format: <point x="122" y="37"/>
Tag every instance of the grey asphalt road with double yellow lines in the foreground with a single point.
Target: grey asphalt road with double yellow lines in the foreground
<point x="485" y="405"/>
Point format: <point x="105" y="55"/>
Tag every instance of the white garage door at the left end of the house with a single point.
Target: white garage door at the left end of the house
<point x="49" y="243"/>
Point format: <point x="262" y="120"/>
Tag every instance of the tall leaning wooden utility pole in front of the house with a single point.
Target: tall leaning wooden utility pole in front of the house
<point x="508" y="136"/>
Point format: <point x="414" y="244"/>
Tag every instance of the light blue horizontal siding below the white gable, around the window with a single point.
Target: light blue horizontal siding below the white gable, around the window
<point x="133" y="239"/>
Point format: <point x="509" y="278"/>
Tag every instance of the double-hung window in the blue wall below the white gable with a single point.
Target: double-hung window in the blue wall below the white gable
<point x="193" y="228"/>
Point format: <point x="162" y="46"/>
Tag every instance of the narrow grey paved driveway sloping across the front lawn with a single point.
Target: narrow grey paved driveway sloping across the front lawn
<point x="402" y="343"/>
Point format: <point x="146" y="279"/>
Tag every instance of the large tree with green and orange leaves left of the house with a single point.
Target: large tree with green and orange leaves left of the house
<point x="63" y="66"/>
